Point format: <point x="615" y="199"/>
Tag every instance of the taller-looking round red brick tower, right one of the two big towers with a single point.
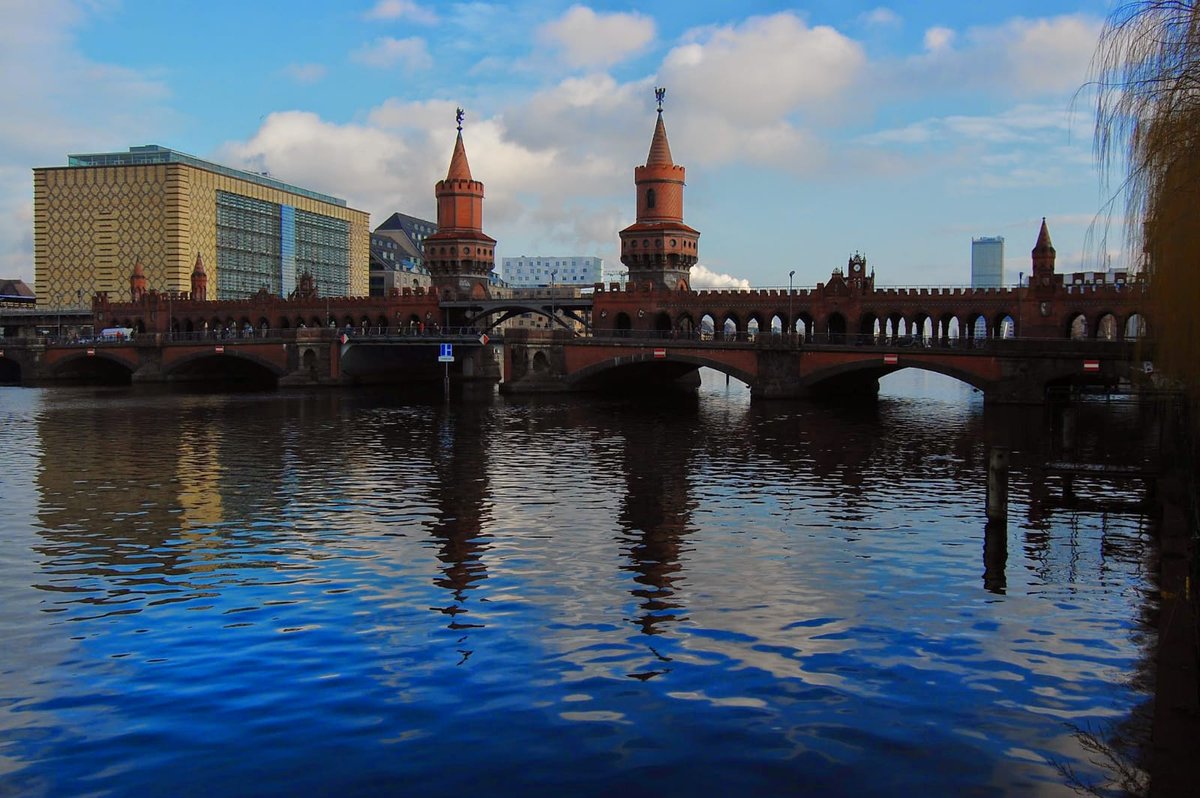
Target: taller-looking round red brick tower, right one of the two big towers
<point x="659" y="249"/>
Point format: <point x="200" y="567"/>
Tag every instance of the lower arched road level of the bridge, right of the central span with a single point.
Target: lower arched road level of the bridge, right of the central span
<point x="779" y="367"/>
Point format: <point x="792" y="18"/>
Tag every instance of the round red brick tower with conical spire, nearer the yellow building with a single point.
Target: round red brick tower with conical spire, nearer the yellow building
<point x="460" y="256"/>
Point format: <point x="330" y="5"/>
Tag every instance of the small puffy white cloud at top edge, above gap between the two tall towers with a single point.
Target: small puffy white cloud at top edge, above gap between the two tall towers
<point x="587" y="39"/>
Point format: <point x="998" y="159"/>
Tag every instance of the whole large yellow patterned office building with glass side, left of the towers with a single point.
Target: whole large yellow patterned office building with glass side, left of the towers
<point x="103" y="213"/>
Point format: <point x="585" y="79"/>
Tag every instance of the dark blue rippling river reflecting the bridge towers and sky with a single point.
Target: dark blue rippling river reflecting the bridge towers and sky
<point x="367" y="593"/>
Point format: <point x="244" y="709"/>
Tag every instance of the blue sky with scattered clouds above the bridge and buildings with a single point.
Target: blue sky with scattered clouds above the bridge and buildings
<point x="809" y="131"/>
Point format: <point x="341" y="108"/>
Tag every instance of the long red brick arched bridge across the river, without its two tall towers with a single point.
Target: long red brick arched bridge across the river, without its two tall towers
<point x="842" y="337"/>
